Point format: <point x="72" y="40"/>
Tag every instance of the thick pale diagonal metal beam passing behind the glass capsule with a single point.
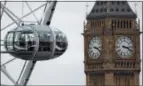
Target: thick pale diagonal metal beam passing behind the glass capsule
<point x="30" y="65"/>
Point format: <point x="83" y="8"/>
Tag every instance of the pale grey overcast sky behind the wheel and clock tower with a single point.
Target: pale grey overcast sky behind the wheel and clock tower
<point x="68" y="69"/>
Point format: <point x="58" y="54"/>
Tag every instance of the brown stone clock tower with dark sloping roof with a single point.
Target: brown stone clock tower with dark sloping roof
<point x="111" y="45"/>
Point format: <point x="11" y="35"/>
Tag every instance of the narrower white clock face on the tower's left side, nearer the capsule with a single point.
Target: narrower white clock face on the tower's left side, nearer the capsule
<point x="95" y="47"/>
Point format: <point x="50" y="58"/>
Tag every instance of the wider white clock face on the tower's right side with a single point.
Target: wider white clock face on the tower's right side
<point x="124" y="47"/>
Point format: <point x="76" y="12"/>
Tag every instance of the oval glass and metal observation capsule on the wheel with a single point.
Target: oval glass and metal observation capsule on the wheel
<point x="35" y="42"/>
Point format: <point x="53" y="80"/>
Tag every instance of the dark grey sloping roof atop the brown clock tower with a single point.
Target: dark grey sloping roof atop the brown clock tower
<point x="111" y="9"/>
